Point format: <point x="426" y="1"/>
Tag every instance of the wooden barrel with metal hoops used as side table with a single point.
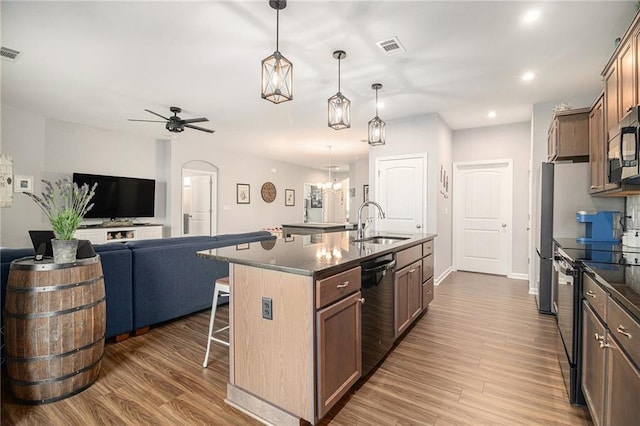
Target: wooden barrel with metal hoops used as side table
<point x="55" y="326"/>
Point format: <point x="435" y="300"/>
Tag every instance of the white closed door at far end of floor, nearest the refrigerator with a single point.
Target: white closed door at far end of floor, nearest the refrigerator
<point x="482" y="209"/>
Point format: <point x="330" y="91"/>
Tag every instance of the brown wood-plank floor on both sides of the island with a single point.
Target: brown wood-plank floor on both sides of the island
<point x="482" y="355"/>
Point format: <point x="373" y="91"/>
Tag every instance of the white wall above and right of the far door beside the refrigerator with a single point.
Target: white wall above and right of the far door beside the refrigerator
<point x="511" y="141"/>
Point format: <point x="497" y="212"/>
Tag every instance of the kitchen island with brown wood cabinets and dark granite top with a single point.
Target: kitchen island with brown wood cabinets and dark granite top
<point x="295" y="317"/>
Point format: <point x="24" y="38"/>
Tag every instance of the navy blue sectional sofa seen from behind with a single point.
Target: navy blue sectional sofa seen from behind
<point x="151" y="281"/>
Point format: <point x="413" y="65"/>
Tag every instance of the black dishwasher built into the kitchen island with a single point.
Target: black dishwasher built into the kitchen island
<point x="377" y="310"/>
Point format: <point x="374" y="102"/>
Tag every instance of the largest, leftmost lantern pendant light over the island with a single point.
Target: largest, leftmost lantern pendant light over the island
<point x="277" y="71"/>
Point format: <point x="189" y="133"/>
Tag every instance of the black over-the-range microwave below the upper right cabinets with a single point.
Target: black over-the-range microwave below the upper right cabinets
<point x="622" y="149"/>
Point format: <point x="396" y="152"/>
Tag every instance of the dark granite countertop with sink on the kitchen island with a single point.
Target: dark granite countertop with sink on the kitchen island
<point x="311" y="255"/>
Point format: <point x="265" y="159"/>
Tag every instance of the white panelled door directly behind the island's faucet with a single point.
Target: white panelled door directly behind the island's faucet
<point x="400" y="190"/>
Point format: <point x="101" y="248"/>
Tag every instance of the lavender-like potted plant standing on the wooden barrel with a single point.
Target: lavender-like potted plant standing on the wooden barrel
<point x="65" y="204"/>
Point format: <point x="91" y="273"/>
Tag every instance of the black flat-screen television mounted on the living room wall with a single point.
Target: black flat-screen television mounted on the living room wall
<point x="119" y="197"/>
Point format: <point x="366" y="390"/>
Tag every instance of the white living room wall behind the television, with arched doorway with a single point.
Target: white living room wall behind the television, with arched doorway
<point x="51" y="149"/>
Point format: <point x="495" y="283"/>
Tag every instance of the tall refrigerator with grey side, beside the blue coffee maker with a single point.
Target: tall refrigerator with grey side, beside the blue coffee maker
<point x="562" y="190"/>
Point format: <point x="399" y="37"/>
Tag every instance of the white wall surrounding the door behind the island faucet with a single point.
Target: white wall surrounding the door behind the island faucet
<point x="424" y="134"/>
